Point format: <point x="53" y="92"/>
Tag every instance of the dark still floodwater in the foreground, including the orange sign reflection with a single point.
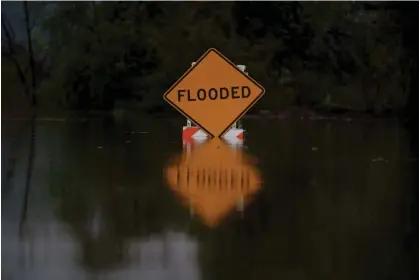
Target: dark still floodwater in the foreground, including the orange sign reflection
<point x="128" y="200"/>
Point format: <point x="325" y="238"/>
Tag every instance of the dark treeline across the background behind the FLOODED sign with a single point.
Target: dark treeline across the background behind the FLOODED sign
<point x="348" y="56"/>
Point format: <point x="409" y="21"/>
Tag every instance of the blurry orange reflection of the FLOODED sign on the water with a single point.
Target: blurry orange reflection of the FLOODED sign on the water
<point x="214" y="178"/>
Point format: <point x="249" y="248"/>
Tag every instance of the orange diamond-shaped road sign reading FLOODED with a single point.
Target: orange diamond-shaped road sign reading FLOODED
<point x="214" y="93"/>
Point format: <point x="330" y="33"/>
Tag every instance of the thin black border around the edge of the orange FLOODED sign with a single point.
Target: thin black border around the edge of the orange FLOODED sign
<point x="191" y="69"/>
